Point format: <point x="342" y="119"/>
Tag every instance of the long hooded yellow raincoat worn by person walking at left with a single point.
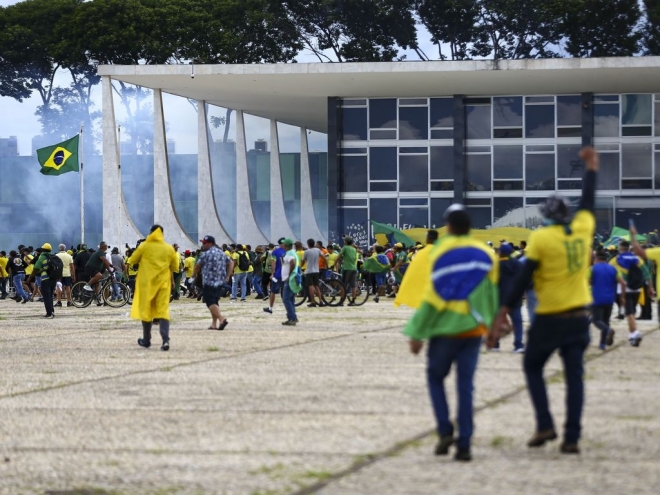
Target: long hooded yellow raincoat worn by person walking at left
<point x="153" y="284"/>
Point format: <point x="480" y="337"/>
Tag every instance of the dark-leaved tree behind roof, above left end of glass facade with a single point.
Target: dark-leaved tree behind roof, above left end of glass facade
<point x="354" y="30"/>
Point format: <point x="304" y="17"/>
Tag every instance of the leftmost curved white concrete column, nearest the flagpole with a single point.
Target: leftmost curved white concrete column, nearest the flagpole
<point x="118" y="228"/>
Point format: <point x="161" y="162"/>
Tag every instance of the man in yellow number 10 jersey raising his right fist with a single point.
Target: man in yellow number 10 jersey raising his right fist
<point x="558" y="257"/>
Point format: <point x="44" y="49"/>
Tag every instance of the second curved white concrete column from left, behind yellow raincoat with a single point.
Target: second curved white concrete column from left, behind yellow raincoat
<point x="164" y="213"/>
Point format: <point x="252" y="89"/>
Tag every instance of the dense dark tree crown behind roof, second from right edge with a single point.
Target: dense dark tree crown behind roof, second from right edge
<point x="602" y="28"/>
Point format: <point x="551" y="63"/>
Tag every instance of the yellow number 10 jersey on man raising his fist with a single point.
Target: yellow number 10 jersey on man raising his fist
<point x="561" y="280"/>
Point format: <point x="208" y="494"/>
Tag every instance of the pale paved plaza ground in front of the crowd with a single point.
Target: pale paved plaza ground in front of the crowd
<point x="335" y="405"/>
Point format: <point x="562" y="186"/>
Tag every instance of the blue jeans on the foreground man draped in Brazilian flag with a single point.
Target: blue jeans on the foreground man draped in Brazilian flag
<point x="442" y="352"/>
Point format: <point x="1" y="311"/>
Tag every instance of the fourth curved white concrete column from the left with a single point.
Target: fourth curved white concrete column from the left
<point x="247" y="230"/>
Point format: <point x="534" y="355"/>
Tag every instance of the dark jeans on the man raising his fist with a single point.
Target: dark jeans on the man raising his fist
<point x="571" y="336"/>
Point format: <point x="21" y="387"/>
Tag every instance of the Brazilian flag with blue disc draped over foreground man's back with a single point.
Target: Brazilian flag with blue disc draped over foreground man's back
<point x="459" y="290"/>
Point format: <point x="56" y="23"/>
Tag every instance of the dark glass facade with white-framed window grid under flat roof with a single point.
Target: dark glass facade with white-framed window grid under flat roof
<point x="397" y="157"/>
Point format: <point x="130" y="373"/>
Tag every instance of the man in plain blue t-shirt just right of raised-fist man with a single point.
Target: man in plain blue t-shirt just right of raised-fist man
<point x="604" y="278"/>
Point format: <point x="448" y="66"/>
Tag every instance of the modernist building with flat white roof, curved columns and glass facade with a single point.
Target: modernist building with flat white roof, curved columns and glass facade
<point x="405" y="140"/>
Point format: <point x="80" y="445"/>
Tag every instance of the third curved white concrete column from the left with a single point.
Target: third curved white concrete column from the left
<point x="208" y="222"/>
